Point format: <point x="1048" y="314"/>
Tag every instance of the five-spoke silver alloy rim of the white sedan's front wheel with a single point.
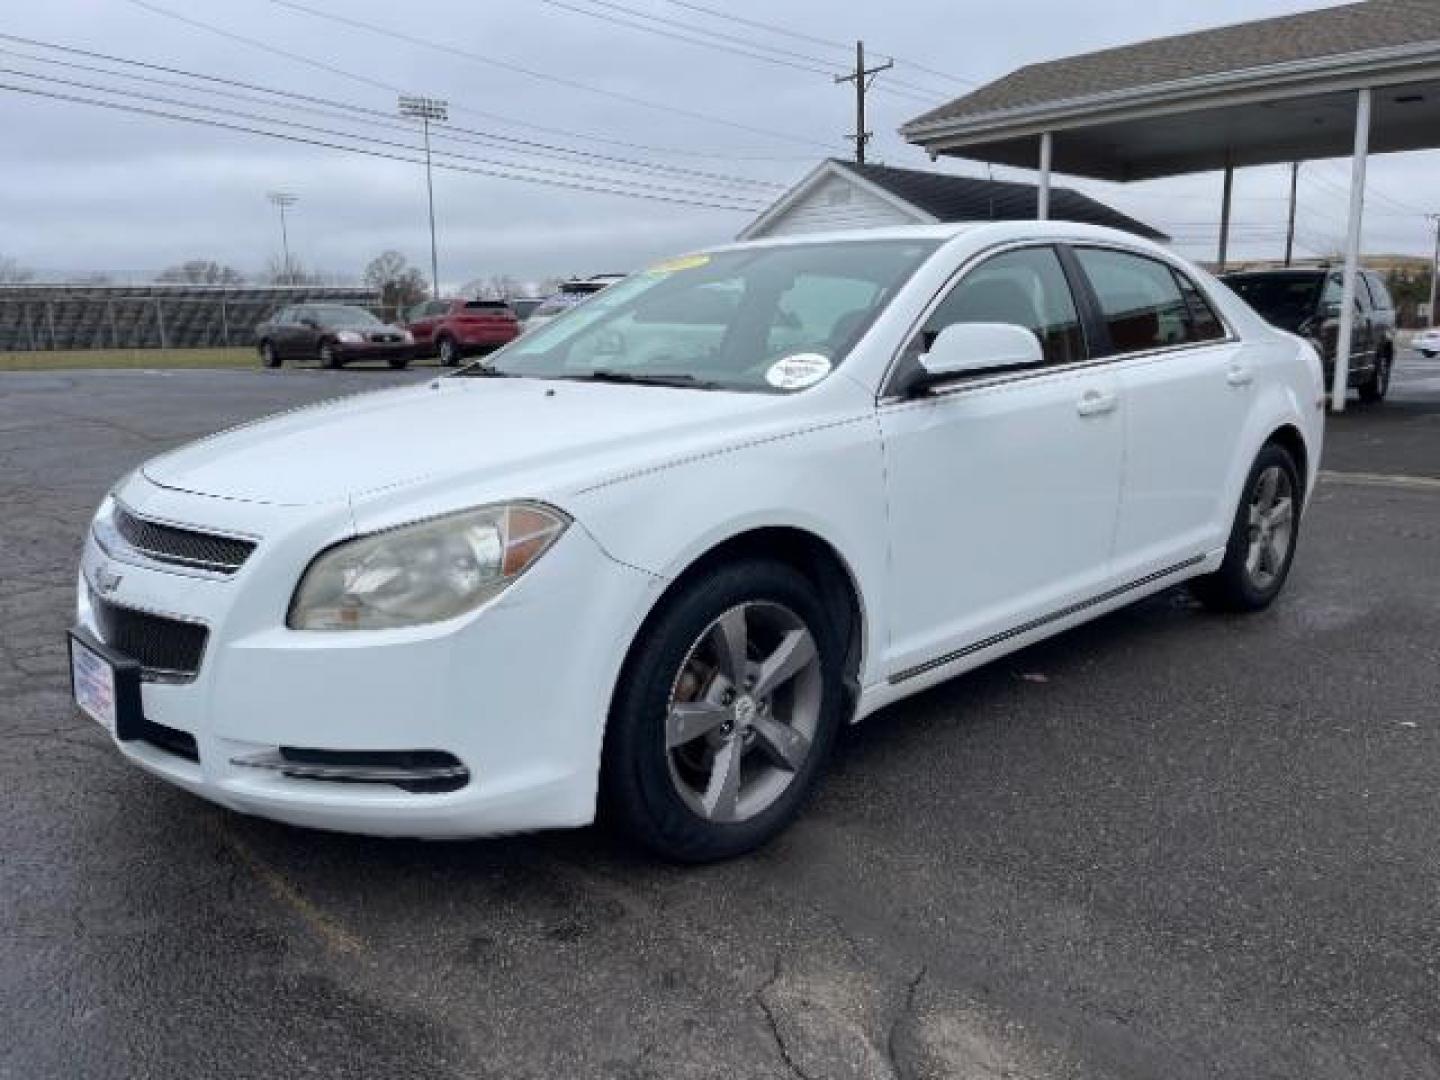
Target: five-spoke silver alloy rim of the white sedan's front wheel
<point x="744" y="712"/>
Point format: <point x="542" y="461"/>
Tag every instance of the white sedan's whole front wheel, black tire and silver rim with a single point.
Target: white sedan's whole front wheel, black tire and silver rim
<point x="725" y="716"/>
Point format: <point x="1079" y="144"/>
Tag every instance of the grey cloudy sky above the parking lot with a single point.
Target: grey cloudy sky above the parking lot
<point x="93" y="189"/>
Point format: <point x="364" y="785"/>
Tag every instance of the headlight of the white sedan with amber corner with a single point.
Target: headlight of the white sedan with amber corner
<point x="427" y="572"/>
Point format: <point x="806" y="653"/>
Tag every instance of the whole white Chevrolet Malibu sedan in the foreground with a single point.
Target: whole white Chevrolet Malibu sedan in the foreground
<point x="649" y="559"/>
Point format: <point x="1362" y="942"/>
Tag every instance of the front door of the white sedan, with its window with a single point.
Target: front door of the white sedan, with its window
<point x="1004" y="489"/>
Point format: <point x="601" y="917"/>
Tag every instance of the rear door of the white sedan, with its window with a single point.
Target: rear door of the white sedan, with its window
<point x="1187" y="388"/>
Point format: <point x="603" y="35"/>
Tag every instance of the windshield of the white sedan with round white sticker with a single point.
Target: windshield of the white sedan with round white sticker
<point x="755" y="319"/>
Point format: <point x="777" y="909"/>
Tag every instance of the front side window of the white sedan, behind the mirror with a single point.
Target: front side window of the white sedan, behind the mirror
<point x="1025" y="287"/>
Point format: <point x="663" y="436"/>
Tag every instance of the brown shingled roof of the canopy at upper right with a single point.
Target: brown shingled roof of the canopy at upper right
<point x="1246" y="47"/>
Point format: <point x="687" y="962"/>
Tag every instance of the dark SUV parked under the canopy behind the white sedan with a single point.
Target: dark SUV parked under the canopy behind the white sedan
<point x="1308" y="303"/>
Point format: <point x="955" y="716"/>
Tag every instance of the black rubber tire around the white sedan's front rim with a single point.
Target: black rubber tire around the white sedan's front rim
<point x="639" y="793"/>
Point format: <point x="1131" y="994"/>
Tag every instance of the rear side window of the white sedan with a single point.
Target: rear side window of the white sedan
<point x="1141" y="302"/>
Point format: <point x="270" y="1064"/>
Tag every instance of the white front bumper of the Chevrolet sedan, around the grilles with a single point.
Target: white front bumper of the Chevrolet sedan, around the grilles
<point x="510" y="692"/>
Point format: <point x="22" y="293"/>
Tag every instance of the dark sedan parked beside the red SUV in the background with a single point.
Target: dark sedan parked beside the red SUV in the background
<point x="332" y="335"/>
